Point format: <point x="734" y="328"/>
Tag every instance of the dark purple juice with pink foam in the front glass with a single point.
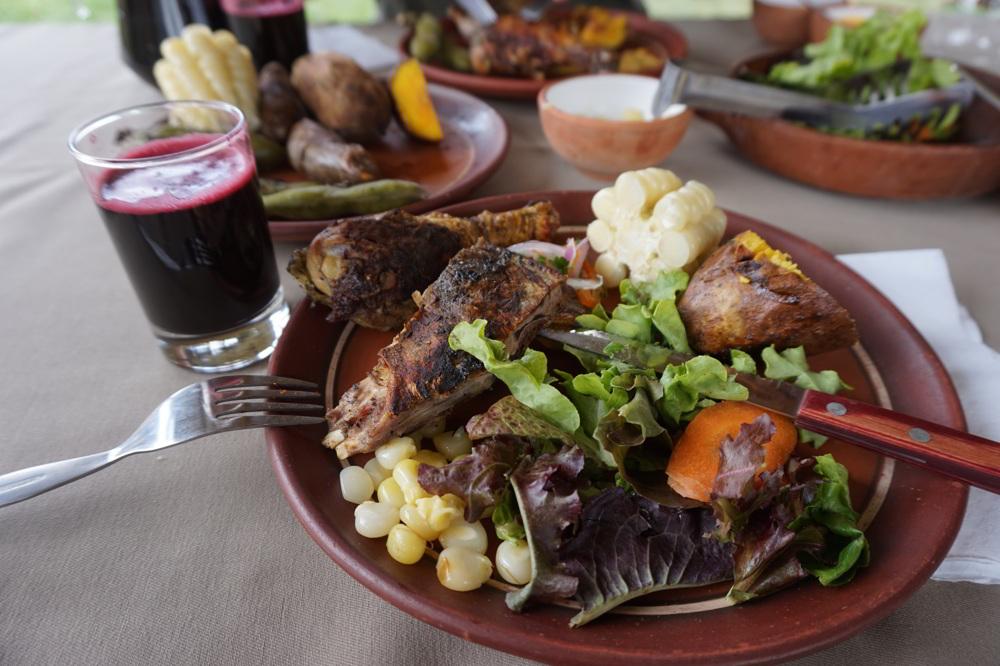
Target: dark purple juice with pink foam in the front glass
<point x="192" y="236"/>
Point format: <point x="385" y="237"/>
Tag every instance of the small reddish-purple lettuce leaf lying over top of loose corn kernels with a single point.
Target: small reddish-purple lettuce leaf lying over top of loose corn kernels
<point x="480" y="478"/>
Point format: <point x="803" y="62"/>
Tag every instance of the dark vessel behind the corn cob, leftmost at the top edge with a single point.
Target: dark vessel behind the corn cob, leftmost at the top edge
<point x="143" y="24"/>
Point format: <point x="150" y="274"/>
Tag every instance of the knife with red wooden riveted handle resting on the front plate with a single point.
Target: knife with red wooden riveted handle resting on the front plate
<point x="967" y="458"/>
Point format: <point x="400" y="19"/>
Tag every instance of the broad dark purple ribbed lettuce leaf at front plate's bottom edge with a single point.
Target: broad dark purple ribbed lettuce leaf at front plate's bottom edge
<point x="630" y="546"/>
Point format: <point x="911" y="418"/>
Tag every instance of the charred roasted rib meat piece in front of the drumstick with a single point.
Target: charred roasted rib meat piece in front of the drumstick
<point x="419" y="377"/>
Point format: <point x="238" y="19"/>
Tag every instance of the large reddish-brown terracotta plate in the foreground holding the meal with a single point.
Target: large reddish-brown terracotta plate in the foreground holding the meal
<point x="913" y="514"/>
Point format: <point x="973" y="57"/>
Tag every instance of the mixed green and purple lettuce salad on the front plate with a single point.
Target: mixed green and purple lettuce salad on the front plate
<point x="574" y="464"/>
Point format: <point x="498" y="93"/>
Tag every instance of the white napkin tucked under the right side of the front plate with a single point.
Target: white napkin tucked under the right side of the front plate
<point x="918" y="283"/>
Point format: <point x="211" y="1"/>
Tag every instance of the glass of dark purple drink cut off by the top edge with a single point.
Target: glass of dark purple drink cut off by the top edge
<point x="271" y="29"/>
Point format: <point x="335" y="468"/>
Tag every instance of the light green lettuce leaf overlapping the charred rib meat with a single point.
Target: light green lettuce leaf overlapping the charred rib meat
<point x="526" y="377"/>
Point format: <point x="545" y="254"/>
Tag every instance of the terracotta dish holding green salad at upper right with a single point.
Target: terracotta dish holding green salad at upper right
<point x="884" y="169"/>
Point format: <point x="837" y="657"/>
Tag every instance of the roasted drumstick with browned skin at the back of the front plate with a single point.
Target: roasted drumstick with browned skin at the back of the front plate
<point x="367" y="268"/>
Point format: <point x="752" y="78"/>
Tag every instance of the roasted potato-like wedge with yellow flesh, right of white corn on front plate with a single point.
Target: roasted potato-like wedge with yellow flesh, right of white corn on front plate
<point x="747" y="295"/>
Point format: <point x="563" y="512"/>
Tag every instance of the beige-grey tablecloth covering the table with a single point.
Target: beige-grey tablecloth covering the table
<point x="192" y="555"/>
